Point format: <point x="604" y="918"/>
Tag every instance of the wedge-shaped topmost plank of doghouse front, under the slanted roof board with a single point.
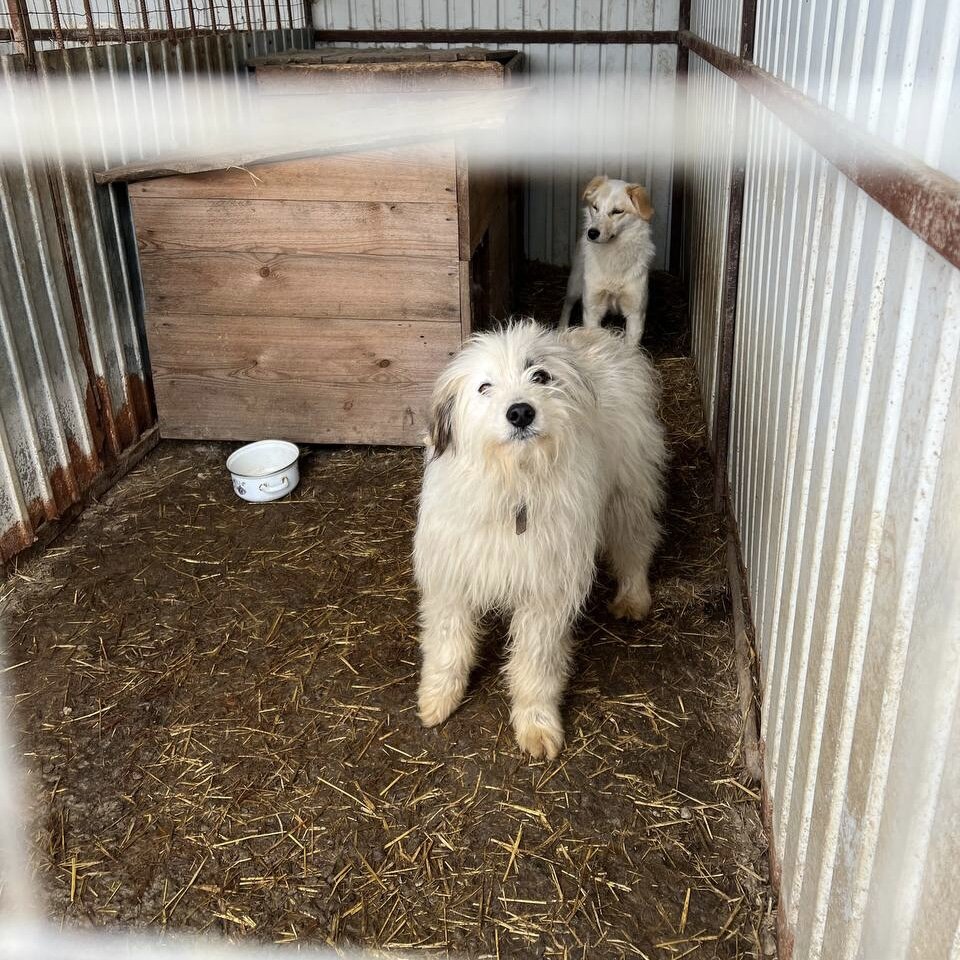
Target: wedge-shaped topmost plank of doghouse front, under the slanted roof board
<point x="420" y="174"/>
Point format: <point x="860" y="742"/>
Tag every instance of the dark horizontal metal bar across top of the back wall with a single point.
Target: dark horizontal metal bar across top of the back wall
<point x="497" y="36"/>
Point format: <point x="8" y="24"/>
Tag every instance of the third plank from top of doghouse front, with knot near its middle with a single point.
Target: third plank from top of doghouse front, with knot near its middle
<point x="327" y="285"/>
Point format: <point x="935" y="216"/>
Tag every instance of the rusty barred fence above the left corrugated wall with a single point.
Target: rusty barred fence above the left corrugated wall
<point x="28" y="26"/>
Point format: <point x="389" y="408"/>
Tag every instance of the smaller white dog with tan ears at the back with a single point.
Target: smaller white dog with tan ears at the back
<point x="611" y="266"/>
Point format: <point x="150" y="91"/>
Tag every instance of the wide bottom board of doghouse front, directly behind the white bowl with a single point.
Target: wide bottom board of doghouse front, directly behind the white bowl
<point x="314" y="381"/>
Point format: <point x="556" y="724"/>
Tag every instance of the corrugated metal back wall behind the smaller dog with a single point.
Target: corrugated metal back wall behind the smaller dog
<point x="640" y="80"/>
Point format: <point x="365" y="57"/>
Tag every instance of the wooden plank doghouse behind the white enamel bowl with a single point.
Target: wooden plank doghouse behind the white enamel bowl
<point x="317" y="298"/>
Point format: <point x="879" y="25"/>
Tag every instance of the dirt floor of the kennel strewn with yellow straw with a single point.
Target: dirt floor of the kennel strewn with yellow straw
<point x="217" y="700"/>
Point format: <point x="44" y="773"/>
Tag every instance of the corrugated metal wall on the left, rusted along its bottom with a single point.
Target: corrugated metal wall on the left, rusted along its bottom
<point x="74" y="377"/>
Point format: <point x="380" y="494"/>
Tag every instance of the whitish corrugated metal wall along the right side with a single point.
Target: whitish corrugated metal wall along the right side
<point x="845" y="484"/>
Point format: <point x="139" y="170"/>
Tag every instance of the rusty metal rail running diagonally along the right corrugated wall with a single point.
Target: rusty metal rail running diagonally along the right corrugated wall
<point x="924" y="200"/>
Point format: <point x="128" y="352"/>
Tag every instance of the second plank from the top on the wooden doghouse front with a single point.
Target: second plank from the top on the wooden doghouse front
<point x="296" y="226"/>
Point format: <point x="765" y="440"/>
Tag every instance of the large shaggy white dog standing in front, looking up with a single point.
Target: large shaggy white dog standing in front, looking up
<point x="545" y="448"/>
